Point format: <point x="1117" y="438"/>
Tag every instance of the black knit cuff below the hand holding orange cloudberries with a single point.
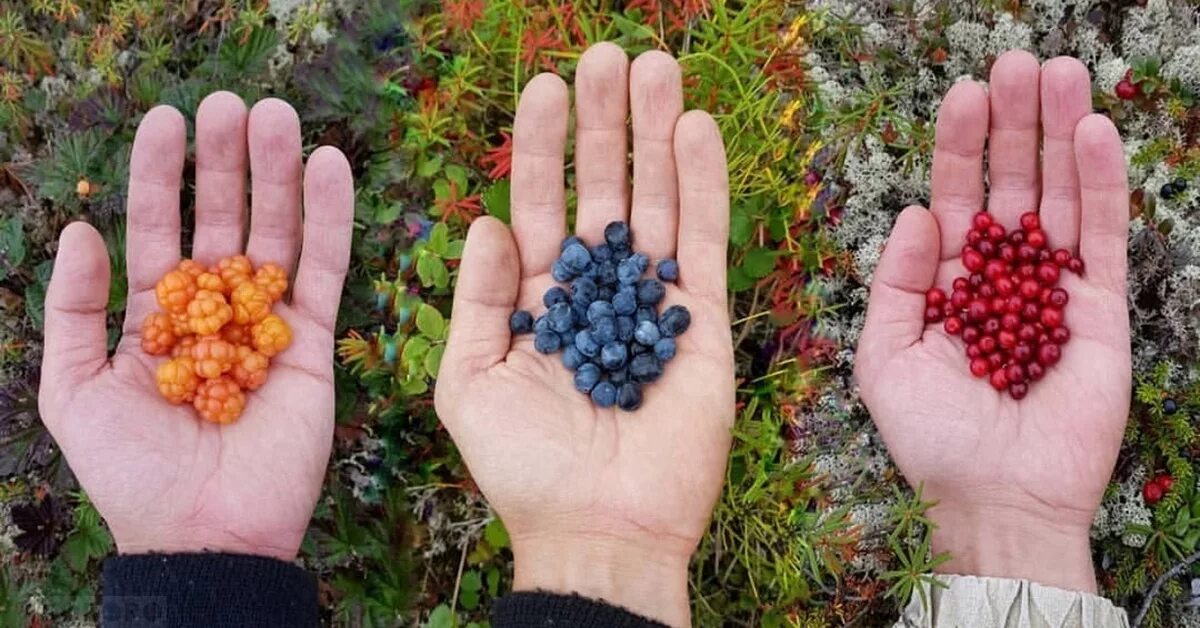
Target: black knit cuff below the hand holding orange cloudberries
<point x="206" y="590"/>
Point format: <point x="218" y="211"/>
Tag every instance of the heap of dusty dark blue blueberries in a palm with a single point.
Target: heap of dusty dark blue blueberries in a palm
<point x="607" y="324"/>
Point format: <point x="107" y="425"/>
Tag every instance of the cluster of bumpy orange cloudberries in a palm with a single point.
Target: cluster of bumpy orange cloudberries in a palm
<point x="218" y="327"/>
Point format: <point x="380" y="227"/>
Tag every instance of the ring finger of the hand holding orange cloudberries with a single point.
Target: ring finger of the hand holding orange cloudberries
<point x="275" y="170"/>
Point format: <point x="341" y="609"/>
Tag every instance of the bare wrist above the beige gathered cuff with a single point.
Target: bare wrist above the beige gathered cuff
<point x="1006" y="542"/>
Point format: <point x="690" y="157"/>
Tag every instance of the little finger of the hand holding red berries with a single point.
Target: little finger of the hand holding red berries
<point x="1105" y="189"/>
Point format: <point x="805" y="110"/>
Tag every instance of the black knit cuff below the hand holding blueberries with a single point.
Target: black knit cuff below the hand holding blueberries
<point x="538" y="609"/>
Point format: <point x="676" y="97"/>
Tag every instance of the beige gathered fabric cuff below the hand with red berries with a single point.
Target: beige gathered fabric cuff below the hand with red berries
<point x="999" y="603"/>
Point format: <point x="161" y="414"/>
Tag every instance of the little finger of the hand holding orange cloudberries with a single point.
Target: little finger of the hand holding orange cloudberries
<point x="328" y="229"/>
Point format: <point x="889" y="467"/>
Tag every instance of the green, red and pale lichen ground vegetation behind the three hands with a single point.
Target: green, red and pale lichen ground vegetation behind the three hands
<point x="826" y="109"/>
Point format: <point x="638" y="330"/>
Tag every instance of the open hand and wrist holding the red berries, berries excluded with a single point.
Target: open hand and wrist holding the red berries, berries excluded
<point x="1017" y="482"/>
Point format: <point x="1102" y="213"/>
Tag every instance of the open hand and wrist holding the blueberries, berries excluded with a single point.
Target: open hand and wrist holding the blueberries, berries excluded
<point x="602" y="503"/>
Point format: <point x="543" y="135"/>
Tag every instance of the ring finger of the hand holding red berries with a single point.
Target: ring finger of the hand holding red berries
<point x="1066" y="100"/>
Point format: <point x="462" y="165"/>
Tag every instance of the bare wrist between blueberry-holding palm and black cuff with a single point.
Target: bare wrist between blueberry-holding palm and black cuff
<point x="643" y="579"/>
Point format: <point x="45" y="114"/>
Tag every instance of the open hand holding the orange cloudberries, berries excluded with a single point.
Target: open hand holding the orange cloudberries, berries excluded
<point x="164" y="480"/>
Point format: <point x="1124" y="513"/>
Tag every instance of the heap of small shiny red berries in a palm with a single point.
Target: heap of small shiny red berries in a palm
<point x="1009" y="310"/>
